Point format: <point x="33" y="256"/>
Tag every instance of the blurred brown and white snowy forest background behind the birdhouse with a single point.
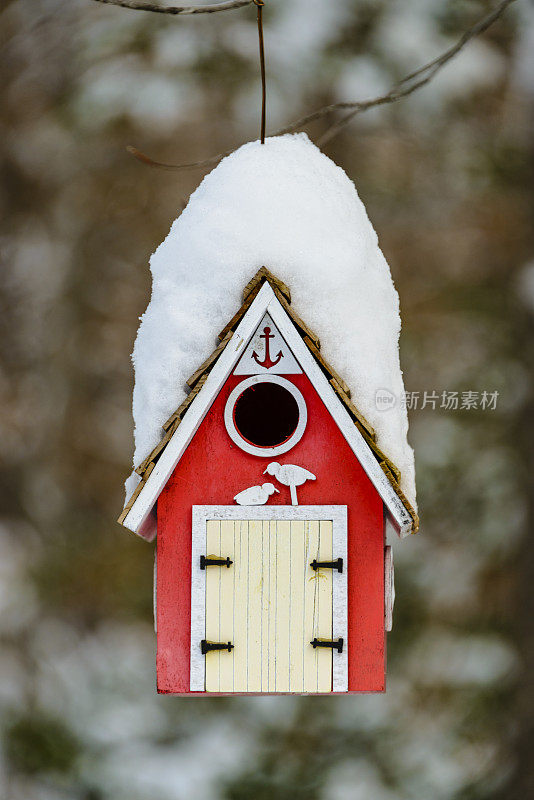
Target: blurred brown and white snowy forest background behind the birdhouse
<point x="447" y="178"/>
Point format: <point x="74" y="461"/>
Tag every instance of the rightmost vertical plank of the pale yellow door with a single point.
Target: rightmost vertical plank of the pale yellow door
<point x="324" y="609"/>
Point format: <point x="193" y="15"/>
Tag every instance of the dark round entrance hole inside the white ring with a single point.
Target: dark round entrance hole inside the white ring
<point x="266" y="414"/>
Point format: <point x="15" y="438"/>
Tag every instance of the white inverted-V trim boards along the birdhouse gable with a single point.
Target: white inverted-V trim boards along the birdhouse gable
<point x="265" y="301"/>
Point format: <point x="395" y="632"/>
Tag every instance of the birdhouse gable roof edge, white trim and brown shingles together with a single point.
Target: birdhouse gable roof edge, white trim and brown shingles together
<point x="275" y="298"/>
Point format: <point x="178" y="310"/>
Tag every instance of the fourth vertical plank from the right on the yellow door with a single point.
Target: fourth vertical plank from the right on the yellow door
<point x="283" y="605"/>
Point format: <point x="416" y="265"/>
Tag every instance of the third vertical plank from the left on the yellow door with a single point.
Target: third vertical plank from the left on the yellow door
<point x="241" y="568"/>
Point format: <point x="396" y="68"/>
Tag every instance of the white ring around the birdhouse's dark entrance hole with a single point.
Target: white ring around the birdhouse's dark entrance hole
<point x="235" y="436"/>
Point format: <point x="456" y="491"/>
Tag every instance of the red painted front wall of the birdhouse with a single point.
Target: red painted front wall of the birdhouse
<point x="212" y="470"/>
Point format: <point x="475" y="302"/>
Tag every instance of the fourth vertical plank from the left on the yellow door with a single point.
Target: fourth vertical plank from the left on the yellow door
<point x="255" y="588"/>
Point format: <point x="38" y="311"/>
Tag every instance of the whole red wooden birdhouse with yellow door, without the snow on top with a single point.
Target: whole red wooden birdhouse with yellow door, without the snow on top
<point x="271" y="501"/>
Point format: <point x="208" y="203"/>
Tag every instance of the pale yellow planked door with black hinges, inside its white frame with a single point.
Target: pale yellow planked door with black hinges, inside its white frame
<point x="270" y="604"/>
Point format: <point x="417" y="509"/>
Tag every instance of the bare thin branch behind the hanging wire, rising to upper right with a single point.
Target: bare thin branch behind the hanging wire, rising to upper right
<point x="406" y="86"/>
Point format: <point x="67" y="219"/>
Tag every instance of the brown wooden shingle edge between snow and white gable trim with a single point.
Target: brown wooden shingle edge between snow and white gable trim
<point x="197" y="380"/>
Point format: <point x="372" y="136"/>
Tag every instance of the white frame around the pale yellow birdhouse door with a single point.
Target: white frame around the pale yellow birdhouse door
<point x="201" y="514"/>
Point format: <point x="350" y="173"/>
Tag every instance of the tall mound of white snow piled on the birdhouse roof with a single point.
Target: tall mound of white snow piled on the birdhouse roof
<point x="286" y="206"/>
